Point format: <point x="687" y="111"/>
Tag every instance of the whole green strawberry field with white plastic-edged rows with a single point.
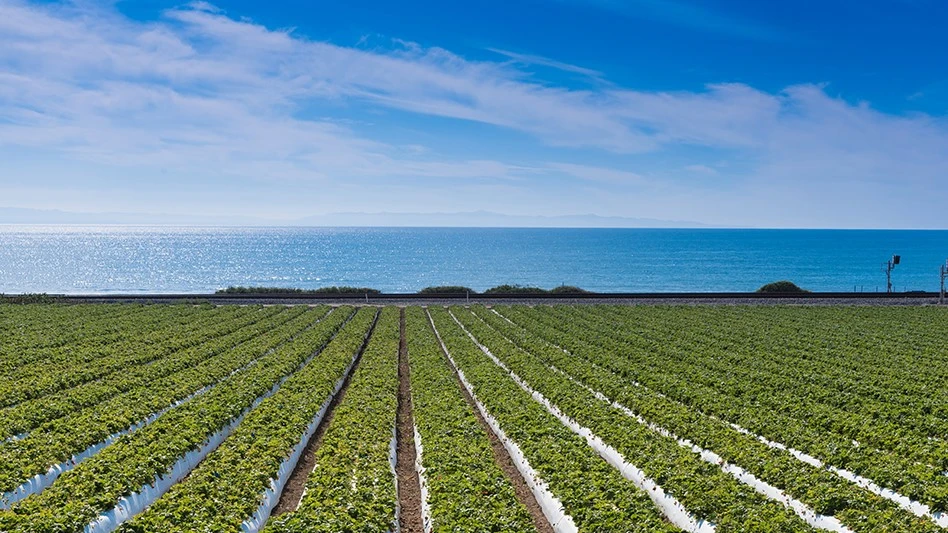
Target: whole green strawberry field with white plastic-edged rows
<point x="168" y="418"/>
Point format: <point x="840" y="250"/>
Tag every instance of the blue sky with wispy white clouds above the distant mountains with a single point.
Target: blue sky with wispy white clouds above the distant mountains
<point x="827" y="113"/>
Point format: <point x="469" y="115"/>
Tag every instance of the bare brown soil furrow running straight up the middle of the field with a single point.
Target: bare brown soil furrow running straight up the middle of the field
<point x="409" y="485"/>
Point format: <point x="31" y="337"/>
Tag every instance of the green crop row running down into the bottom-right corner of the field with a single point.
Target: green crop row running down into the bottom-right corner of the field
<point x="599" y="369"/>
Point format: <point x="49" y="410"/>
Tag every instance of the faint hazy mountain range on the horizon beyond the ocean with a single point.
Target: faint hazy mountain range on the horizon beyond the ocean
<point x="17" y="215"/>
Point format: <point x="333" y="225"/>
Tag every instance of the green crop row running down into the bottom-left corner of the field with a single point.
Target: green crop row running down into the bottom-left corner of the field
<point x="137" y="460"/>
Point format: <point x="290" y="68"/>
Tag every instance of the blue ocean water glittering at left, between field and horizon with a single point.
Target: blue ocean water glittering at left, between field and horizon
<point x="122" y="259"/>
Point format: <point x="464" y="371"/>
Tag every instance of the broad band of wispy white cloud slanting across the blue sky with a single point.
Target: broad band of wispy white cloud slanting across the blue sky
<point x="201" y="91"/>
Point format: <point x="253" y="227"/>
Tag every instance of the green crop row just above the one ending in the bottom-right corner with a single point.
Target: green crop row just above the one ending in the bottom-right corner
<point x="684" y="376"/>
